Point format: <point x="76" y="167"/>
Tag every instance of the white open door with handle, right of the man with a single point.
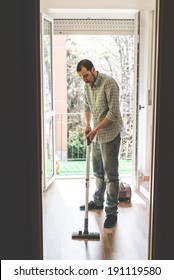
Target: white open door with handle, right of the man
<point x="143" y="101"/>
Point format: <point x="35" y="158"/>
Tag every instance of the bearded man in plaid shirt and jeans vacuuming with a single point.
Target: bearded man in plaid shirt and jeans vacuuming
<point x="102" y="104"/>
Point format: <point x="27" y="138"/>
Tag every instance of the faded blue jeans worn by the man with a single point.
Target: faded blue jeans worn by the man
<point x="105" y="167"/>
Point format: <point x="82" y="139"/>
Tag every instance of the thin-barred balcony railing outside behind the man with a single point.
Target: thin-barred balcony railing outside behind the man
<point x="70" y="144"/>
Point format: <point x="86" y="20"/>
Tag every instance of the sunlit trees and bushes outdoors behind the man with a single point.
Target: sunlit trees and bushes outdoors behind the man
<point x="113" y="55"/>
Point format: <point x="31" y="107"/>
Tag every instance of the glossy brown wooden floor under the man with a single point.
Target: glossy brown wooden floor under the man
<point x="61" y="217"/>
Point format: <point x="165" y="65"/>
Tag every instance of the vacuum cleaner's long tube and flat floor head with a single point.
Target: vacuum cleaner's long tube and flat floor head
<point x="85" y="234"/>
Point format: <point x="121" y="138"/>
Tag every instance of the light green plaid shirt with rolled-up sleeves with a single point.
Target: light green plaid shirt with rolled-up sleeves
<point x="102" y="100"/>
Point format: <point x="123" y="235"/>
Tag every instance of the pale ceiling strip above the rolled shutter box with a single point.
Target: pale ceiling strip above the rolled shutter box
<point x="95" y="9"/>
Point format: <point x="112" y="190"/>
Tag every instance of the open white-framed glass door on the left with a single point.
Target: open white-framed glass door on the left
<point x="48" y="112"/>
